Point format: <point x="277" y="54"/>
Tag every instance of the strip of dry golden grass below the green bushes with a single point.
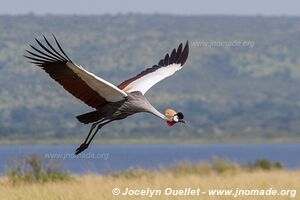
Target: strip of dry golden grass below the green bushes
<point x="88" y="187"/>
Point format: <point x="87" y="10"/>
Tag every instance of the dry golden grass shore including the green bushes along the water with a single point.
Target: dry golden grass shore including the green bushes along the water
<point x="35" y="180"/>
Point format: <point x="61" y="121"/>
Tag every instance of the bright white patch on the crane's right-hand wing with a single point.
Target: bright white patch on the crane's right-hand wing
<point x="144" y="83"/>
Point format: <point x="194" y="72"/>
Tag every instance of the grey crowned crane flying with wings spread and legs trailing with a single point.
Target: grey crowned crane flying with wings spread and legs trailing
<point x="109" y="102"/>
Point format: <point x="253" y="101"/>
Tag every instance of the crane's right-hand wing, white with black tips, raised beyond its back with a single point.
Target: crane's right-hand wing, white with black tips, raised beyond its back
<point x="165" y="68"/>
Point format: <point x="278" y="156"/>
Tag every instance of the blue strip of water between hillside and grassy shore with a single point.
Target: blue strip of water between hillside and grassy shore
<point x="104" y="158"/>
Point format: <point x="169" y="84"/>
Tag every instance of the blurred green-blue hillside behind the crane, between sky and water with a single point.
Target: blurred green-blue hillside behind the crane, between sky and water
<point x="242" y="79"/>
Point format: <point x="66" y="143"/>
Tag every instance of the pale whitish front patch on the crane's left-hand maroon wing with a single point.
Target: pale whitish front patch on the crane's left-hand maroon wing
<point x="105" y="89"/>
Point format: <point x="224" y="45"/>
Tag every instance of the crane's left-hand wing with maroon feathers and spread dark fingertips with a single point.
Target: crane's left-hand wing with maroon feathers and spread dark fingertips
<point x="82" y="84"/>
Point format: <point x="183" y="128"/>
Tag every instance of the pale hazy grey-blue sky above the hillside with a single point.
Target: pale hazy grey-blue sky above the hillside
<point x="229" y="7"/>
